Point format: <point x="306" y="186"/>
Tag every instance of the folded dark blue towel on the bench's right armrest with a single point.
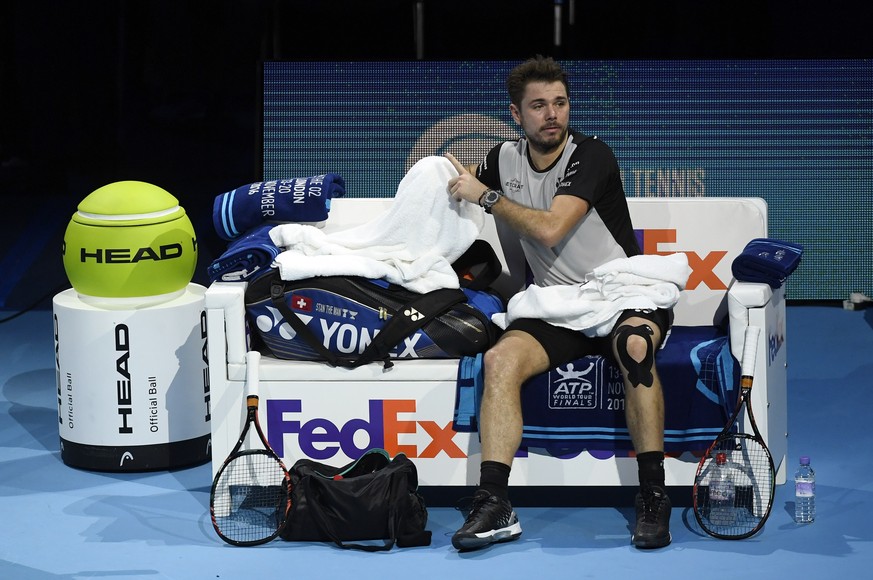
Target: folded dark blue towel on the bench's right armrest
<point x="768" y="261"/>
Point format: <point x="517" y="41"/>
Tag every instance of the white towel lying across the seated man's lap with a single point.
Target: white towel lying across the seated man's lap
<point x="636" y="283"/>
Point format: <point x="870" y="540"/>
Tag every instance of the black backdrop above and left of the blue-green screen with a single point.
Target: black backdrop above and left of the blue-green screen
<point x="168" y="92"/>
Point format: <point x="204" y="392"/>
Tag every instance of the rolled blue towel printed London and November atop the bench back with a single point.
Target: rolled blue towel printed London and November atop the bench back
<point x="303" y="199"/>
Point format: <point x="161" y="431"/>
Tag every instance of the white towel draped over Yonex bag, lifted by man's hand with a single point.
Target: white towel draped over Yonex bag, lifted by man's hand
<point x="413" y="244"/>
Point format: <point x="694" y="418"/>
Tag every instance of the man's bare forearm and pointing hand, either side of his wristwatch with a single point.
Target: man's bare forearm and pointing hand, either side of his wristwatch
<point x="545" y="226"/>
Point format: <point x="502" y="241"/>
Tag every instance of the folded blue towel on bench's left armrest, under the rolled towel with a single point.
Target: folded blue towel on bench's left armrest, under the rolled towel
<point x="245" y="258"/>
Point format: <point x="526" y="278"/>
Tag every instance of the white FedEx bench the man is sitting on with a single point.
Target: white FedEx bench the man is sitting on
<point x="311" y="409"/>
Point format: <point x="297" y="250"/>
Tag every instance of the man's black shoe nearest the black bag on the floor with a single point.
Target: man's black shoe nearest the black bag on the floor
<point x="491" y="520"/>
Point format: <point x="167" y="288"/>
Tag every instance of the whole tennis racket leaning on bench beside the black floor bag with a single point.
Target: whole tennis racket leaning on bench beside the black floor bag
<point x="250" y="495"/>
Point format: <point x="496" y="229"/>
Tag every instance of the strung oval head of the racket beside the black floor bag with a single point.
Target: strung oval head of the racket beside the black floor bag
<point x="248" y="498"/>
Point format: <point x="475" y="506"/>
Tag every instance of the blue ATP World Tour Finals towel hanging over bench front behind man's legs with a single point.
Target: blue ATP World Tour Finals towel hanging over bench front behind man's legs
<point x="581" y="405"/>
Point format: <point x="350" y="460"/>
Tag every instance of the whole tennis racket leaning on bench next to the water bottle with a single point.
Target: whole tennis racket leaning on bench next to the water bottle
<point x="746" y="460"/>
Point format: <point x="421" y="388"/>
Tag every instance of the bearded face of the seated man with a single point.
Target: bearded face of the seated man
<point x="544" y="115"/>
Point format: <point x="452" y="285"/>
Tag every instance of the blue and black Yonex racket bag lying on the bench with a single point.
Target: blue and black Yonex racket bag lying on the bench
<point x="351" y="321"/>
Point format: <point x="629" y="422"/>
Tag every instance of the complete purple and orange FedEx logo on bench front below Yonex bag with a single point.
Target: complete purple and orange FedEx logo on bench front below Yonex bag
<point x="320" y="438"/>
